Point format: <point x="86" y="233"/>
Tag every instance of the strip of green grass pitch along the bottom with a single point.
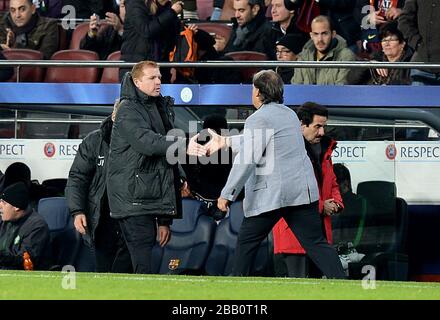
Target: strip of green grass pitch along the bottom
<point x="49" y="285"/>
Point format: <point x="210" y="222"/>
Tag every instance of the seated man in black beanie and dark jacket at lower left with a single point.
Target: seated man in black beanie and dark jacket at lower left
<point x="23" y="230"/>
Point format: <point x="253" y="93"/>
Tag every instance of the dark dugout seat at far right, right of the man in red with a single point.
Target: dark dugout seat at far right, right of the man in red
<point x="385" y="232"/>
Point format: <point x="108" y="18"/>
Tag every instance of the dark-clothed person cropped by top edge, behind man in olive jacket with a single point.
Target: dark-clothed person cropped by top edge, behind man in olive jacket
<point x="341" y="14"/>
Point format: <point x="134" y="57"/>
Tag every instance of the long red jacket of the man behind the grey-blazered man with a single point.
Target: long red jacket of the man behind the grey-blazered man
<point x="284" y="239"/>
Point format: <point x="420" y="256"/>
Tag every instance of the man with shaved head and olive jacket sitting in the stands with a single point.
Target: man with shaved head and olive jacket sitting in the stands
<point x="325" y="45"/>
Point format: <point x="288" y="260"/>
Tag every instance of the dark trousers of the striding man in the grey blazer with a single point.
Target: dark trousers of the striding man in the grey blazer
<point x="305" y="223"/>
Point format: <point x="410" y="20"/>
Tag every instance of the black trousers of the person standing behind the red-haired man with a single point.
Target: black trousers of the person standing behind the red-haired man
<point x="111" y="252"/>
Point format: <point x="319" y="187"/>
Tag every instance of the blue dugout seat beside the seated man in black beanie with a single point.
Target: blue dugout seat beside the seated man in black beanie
<point x="65" y="241"/>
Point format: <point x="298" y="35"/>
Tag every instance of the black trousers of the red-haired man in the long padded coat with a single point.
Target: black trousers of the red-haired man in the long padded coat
<point x="140" y="236"/>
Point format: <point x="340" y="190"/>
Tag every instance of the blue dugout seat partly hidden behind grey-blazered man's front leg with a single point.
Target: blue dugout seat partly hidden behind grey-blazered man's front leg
<point x="220" y="259"/>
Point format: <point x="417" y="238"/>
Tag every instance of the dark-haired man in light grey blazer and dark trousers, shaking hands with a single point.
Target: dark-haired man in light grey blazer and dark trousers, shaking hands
<point x="276" y="172"/>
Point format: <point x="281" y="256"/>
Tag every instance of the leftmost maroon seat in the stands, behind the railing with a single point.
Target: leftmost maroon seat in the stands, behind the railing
<point x="27" y="74"/>
